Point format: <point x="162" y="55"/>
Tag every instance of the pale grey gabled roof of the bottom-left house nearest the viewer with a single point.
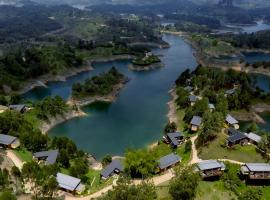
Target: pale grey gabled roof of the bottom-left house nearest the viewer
<point x="67" y="182"/>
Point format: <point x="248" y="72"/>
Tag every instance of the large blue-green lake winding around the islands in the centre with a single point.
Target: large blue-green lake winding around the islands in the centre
<point x="138" y="116"/>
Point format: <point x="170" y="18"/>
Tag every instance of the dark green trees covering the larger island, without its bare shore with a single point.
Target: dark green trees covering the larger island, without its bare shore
<point x="100" y="85"/>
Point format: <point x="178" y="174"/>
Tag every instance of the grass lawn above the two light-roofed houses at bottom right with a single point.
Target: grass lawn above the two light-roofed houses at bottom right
<point x="244" y="154"/>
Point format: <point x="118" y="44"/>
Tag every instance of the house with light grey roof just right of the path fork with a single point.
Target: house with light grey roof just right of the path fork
<point x="210" y="168"/>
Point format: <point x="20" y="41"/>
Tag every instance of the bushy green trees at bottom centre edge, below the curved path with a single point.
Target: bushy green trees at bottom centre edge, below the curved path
<point x="125" y="190"/>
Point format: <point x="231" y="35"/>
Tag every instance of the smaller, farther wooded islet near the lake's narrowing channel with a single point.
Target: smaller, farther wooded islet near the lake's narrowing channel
<point x="147" y="62"/>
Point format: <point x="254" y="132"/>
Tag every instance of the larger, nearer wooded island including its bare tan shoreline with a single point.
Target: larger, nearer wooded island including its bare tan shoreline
<point x="104" y="87"/>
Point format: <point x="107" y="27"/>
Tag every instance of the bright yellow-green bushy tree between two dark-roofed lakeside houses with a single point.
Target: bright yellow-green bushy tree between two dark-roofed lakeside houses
<point x="140" y="163"/>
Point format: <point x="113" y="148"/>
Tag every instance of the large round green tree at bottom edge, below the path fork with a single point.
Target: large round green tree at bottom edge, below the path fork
<point x="184" y="185"/>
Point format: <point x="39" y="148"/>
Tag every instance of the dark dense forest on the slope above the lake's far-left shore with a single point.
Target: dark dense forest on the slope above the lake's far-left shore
<point x="20" y="65"/>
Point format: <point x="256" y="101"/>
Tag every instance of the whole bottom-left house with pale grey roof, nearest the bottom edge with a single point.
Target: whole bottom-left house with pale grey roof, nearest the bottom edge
<point x="69" y="183"/>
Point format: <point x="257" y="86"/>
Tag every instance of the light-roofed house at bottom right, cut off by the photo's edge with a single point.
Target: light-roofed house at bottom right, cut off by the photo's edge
<point x="256" y="171"/>
